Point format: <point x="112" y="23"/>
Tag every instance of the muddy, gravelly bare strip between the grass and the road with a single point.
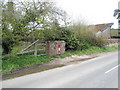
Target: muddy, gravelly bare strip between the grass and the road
<point x="59" y="61"/>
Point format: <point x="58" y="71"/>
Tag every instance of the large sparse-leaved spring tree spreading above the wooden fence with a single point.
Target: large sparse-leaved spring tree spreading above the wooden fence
<point x="28" y="25"/>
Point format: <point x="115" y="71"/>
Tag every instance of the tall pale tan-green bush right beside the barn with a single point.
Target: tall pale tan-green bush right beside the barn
<point x="86" y="36"/>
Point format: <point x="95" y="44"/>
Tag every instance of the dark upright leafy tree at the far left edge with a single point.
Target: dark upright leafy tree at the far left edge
<point x="8" y="20"/>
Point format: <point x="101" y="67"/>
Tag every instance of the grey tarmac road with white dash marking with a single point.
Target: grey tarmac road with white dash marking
<point x="100" y="72"/>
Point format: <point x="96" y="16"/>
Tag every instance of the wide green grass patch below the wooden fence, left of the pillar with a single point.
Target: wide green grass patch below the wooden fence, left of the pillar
<point x="15" y="62"/>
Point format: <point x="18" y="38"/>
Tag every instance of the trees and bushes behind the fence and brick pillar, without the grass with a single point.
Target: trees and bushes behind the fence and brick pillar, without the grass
<point x="42" y="21"/>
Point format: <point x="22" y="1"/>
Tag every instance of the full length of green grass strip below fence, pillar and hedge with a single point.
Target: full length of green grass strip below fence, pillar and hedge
<point x="11" y="63"/>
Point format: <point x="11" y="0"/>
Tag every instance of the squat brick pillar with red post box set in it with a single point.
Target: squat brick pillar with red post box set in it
<point x="55" y="48"/>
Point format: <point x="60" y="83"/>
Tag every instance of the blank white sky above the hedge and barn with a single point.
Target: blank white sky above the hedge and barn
<point x="90" y="11"/>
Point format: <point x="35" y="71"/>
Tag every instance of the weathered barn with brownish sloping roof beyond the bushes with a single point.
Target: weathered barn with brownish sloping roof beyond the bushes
<point x="102" y="30"/>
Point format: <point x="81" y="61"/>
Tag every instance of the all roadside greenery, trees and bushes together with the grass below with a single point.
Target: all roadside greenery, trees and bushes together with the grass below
<point x="25" y="22"/>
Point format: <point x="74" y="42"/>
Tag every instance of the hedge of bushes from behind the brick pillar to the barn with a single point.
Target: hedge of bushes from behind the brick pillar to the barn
<point x="77" y="37"/>
